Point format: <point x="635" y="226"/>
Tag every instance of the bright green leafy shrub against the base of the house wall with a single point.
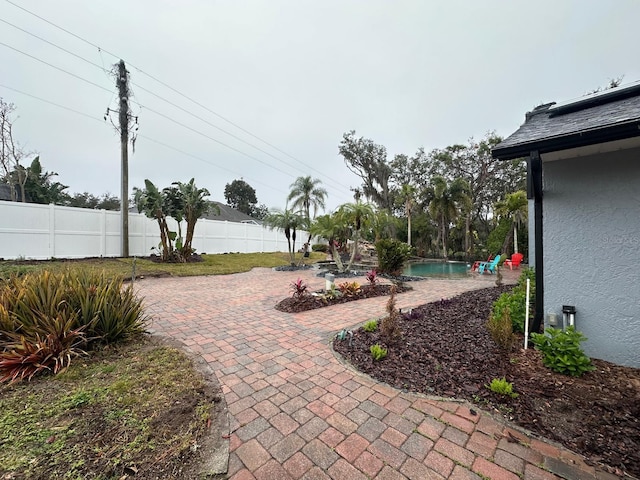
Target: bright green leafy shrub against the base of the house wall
<point x="561" y="351"/>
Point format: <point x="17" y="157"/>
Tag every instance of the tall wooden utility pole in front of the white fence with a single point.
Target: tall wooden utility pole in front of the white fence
<point x="122" y="82"/>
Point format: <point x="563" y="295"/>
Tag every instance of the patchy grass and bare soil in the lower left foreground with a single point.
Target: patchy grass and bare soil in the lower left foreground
<point x="138" y="407"/>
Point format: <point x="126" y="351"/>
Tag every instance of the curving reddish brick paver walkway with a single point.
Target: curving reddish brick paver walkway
<point x="296" y="412"/>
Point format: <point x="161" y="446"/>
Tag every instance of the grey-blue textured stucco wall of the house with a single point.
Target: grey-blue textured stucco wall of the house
<point x="591" y="240"/>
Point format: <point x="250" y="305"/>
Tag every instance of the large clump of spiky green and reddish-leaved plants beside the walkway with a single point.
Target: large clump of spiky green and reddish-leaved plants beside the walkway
<point x="47" y="319"/>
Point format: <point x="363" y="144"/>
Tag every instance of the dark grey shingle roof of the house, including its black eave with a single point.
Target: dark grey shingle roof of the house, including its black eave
<point x="589" y="120"/>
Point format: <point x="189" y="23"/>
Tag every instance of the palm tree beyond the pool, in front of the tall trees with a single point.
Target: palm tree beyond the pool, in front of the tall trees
<point x="445" y="206"/>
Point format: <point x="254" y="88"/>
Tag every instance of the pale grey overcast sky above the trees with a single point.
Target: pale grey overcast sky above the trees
<point x="296" y="74"/>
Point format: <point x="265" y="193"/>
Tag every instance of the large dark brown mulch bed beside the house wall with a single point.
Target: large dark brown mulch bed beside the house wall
<point x="446" y="350"/>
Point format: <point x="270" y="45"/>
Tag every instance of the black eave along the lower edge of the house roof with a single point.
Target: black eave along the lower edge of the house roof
<point x="579" y="139"/>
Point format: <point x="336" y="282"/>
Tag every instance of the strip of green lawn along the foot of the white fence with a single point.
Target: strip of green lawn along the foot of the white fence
<point x="219" y="264"/>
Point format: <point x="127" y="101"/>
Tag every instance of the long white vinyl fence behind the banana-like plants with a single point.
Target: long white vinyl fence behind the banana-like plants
<point x="33" y="231"/>
